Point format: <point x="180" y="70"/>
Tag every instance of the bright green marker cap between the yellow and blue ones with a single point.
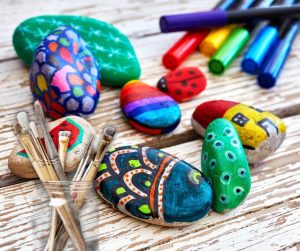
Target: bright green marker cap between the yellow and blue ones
<point x="229" y="50"/>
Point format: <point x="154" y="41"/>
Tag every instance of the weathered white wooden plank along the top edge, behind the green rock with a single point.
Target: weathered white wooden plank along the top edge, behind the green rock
<point x="135" y="19"/>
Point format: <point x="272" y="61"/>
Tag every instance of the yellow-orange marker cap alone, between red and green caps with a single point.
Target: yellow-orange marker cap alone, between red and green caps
<point x="215" y="39"/>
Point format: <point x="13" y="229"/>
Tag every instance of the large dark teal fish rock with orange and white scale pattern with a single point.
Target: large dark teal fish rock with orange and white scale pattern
<point x="153" y="186"/>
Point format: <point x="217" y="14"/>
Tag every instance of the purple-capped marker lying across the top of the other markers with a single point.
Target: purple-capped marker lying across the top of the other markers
<point x="217" y="18"/>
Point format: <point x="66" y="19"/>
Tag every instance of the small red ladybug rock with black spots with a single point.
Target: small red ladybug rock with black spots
<point x="183" y="84"/>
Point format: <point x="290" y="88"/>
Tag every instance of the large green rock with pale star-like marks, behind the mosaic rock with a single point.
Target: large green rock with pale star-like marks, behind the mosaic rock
<point x="112" y="49"/>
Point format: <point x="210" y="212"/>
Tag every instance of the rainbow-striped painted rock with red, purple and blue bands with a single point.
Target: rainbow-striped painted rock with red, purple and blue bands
<point x="148" y="109"/>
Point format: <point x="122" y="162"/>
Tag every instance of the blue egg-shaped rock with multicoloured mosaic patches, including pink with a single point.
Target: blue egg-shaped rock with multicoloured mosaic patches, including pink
<point x="64" y="75"/>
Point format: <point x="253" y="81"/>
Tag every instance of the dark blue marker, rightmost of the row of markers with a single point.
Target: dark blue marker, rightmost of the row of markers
<point x="277" y="58"/>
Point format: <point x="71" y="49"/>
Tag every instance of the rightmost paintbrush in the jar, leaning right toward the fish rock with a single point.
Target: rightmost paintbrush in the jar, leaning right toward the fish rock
<point x="86" y="178"/>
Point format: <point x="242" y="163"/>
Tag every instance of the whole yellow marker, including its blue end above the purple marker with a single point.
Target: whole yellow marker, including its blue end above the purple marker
<point x="217" y="37"/>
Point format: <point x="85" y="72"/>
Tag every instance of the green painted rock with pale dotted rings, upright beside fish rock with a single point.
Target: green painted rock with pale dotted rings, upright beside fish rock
<point x="224" y="162"/>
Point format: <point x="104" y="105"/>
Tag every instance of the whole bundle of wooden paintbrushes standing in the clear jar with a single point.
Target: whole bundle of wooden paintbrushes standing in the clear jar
<point x="49" y="168"/>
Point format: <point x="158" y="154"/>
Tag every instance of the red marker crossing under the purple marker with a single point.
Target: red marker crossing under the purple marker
<point x="189" y="42"/>
